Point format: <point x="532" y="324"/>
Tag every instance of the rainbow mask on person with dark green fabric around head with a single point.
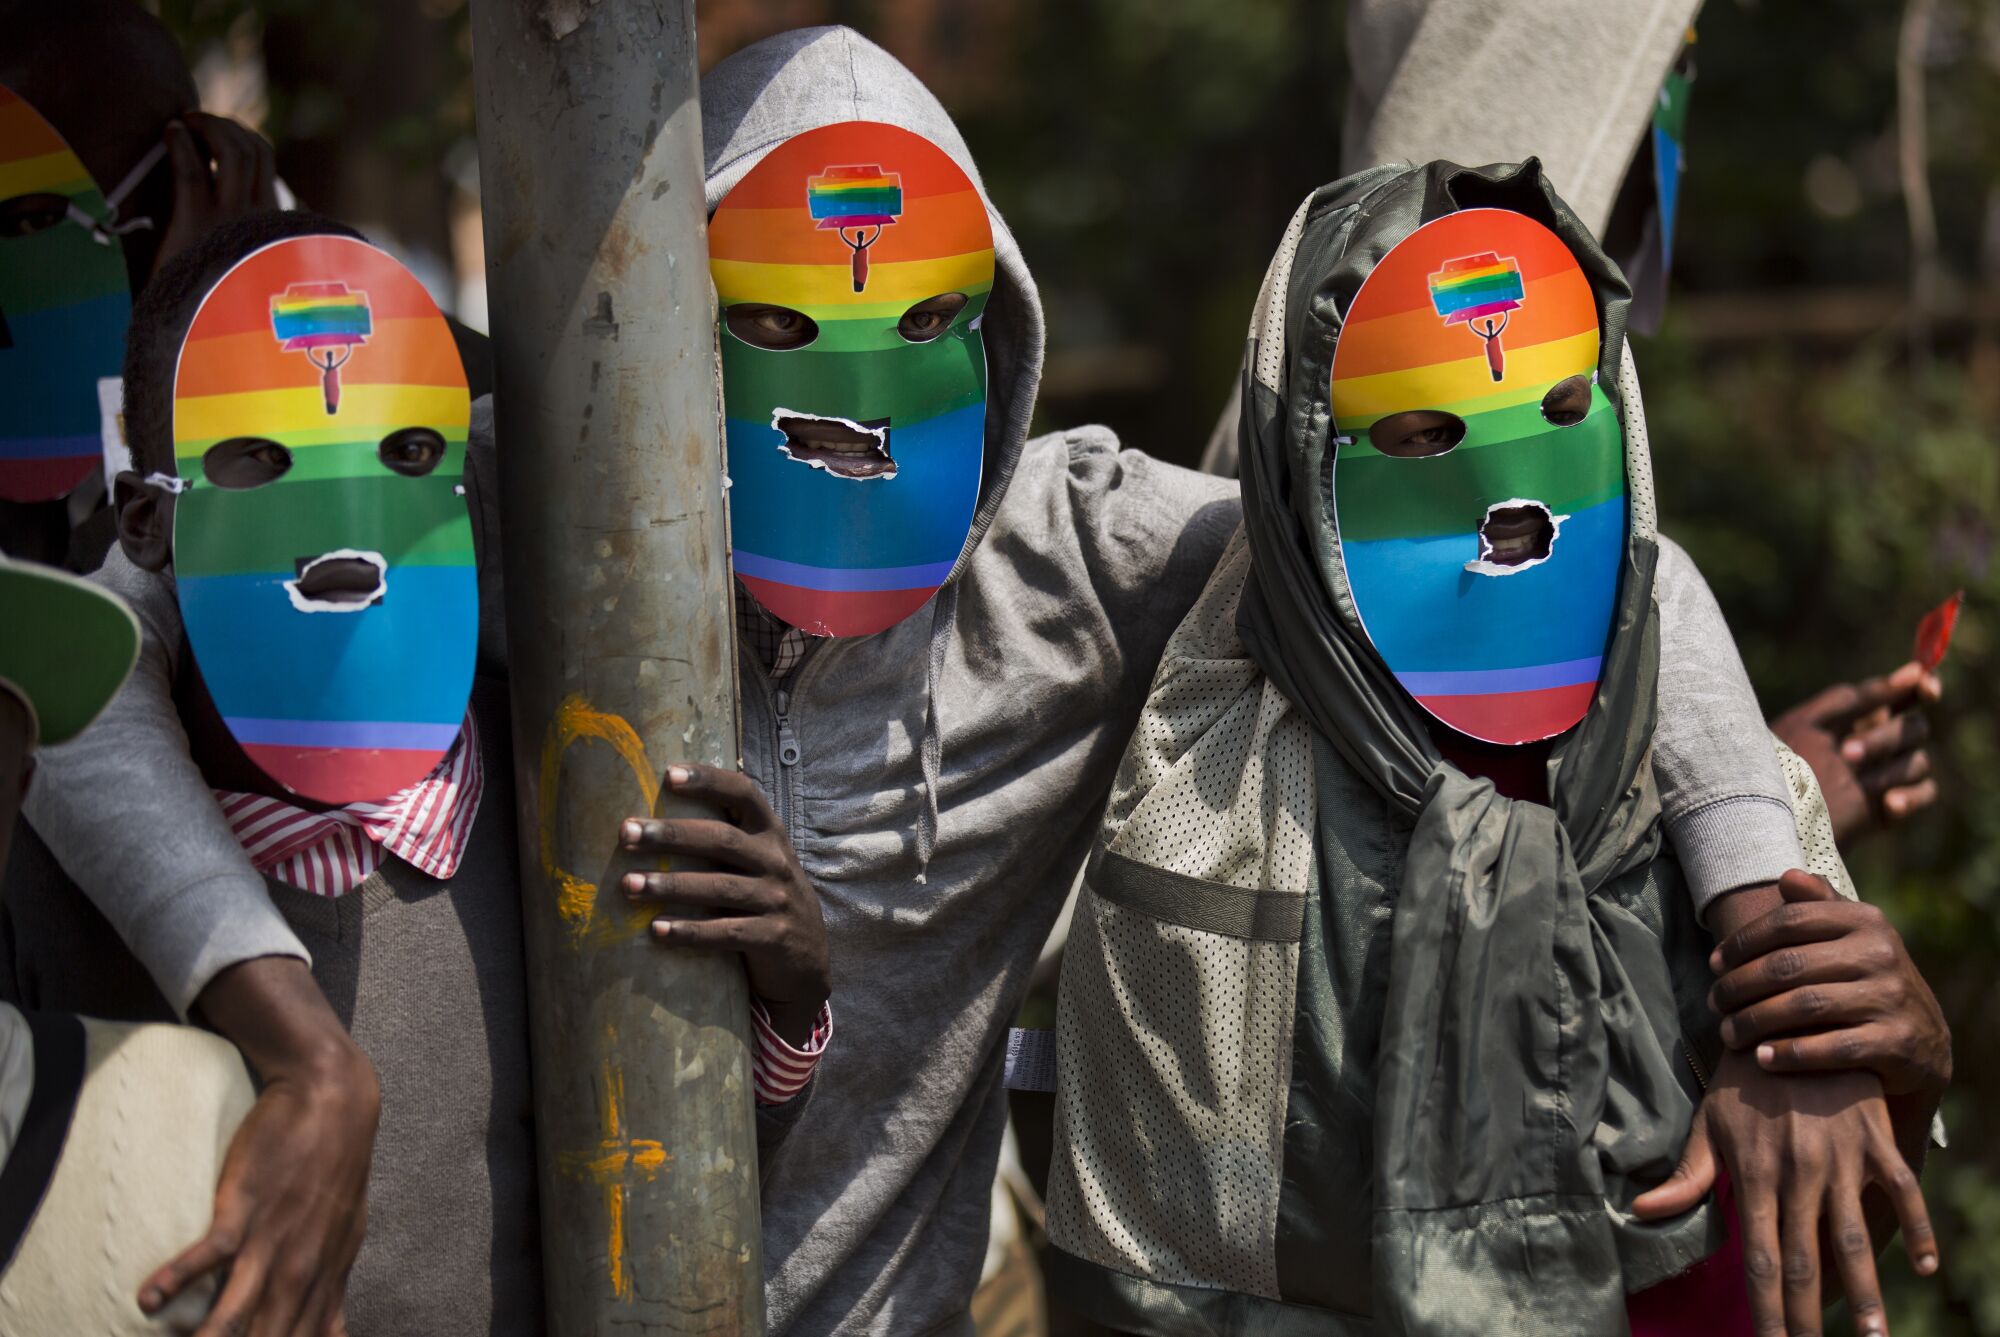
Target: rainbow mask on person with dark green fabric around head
<point x="1479" y="481"/>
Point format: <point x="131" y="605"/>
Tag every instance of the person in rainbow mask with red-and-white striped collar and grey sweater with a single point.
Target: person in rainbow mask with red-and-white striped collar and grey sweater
<point x="309" y="503"/>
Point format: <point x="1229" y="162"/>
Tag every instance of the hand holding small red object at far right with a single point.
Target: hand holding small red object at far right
<point x="1865" y="744"/>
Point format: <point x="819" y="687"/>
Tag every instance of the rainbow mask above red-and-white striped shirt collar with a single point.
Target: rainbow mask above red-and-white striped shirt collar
<point x="325" y="551"/>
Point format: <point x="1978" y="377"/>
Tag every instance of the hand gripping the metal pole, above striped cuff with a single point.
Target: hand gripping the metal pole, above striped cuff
<point x="755" y="902"/>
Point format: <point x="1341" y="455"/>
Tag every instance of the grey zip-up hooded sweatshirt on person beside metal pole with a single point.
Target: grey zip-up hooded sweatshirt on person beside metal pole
<point x="1005" y="704"/>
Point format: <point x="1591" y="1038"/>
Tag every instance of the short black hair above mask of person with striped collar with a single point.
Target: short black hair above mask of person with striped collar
<point x="165" y="311"/>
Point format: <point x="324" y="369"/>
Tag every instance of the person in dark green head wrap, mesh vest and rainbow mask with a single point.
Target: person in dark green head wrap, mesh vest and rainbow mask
<point x="1383" y="946"/>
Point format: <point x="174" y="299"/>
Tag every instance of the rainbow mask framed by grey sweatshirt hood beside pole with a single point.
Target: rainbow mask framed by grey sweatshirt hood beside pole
<point x="853" y="269"/>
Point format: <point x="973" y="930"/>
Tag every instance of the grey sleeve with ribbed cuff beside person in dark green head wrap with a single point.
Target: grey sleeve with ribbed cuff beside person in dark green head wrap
<point x="1723" y="792"/>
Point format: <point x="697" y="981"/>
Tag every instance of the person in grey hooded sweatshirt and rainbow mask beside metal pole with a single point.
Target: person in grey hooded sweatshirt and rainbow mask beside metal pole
<point x="929" y="746"/>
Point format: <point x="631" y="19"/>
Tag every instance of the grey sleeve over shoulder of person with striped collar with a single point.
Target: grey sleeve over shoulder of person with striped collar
<point x="133" y="824"/>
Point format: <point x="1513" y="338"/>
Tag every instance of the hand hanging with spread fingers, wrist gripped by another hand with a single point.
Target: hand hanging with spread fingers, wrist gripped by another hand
<point x="1807" y="1154"/>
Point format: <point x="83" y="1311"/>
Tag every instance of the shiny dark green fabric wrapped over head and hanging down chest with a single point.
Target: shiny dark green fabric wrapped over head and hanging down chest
<point x="1521" y="1078"/>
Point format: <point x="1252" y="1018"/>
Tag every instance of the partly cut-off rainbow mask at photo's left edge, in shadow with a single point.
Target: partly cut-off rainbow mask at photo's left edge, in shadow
<point x="65" y="307"/>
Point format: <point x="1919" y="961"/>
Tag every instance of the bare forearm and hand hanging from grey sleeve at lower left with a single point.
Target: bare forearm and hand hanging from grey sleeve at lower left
<point x="291" y="1206"/>
